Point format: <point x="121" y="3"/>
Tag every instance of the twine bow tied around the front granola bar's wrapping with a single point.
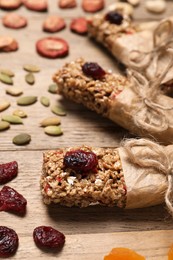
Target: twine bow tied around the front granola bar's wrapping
<point x="152" y="155"/>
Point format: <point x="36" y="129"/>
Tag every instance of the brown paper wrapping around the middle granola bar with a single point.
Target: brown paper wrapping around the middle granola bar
<point x="124" y="107"/>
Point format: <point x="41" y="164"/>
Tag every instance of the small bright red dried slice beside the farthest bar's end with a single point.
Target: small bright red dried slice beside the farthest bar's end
<point x="79" y="25"/>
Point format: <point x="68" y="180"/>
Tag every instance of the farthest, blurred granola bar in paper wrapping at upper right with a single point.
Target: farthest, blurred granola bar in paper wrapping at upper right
<point x="132" y="44"/>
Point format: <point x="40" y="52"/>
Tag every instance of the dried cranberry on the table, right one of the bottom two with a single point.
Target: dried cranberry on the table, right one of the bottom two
<point x="49" y="237"/>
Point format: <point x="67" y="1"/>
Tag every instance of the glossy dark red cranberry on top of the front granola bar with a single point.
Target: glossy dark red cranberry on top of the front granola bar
<point x="80" y="160"/>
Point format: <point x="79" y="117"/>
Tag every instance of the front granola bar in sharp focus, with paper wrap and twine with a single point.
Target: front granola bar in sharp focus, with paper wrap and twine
<point x="135" y="175"/>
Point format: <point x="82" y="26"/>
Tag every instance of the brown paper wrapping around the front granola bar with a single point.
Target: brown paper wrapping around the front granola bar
<point x="145" y="186"/>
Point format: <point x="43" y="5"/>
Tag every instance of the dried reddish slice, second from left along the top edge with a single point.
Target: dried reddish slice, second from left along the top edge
<point x="39" y="5"/>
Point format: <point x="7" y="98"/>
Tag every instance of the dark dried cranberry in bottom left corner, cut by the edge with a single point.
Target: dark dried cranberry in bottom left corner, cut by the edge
<point x="8" y="241"/>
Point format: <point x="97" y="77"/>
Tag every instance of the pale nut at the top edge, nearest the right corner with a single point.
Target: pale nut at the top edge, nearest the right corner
<point x="155" y="6"/>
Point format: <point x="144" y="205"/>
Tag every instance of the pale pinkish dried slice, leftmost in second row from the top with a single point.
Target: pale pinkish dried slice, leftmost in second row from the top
<point x="14" y="21"/>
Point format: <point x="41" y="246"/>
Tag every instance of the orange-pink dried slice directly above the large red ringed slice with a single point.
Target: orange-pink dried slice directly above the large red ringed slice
<point x="53" y="24"/>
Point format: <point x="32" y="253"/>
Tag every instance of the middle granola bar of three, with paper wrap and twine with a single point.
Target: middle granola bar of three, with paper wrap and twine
<point x="135" y="103"/>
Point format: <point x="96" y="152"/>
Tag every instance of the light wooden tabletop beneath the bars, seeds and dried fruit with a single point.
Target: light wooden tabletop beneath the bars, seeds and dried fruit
<point x="90" y="232"/>
